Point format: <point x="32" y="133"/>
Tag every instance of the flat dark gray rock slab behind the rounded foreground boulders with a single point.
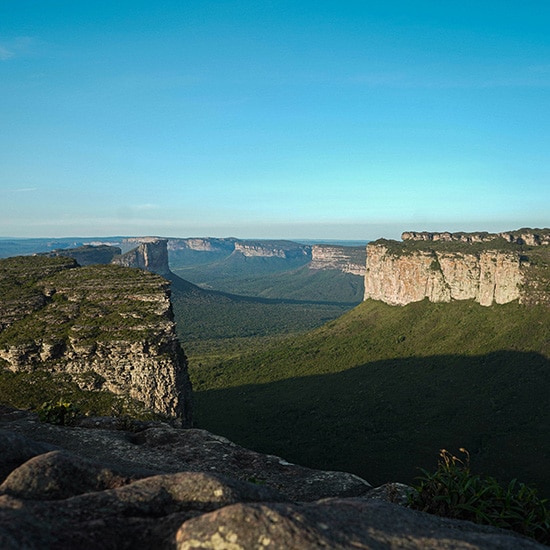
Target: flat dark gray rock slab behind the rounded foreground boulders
<point x="158" y="448"/>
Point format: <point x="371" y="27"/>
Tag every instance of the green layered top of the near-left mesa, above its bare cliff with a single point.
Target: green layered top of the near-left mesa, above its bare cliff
<point x="51" y="303"/>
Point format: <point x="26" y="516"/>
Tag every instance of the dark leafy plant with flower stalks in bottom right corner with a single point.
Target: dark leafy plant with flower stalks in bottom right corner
<point x="453" y="491"/>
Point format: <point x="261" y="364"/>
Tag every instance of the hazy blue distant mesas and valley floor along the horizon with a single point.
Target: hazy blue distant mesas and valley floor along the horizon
<point x="273" y="269"/>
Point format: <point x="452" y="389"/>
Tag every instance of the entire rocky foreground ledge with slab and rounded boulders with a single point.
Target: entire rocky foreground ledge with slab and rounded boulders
<point x="152" y="486"/>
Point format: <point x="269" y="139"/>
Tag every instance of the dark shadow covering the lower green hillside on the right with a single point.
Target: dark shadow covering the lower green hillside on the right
<point x="383" y="420"/>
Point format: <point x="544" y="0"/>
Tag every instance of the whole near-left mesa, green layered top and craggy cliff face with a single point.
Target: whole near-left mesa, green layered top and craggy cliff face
<point x="104" y="327"/>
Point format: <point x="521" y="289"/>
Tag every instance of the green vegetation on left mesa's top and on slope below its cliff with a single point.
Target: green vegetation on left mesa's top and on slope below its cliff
<point x="49" y="304"/>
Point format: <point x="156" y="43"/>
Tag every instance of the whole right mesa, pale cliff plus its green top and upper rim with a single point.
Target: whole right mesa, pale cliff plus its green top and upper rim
<point x="442" y="267"/>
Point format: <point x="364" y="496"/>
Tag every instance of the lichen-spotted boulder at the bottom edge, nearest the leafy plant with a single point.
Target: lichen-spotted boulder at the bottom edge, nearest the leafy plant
<point x="337" y="524"/>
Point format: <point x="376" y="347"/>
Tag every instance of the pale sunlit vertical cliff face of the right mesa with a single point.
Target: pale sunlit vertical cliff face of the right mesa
<point x="410" y="275"/>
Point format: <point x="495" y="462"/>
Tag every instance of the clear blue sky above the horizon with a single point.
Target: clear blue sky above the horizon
<point x="273" y="119"/>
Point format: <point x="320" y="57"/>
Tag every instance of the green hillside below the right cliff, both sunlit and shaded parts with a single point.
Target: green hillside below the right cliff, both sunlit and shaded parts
<point x="353" y="393"/>
